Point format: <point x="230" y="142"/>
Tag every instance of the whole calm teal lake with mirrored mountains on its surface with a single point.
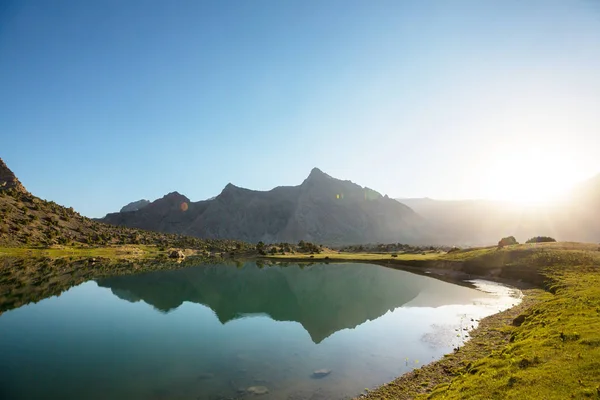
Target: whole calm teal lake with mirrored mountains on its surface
<point x="211" y="332"/>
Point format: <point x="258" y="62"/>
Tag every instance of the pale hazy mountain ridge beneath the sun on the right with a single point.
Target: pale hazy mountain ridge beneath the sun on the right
<point x="576" y="217"/>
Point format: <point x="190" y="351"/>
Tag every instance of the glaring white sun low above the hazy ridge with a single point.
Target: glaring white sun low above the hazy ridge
<point x="528" y="177"/>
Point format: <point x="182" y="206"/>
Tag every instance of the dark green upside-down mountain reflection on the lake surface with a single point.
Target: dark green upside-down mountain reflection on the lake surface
<point x="323" y="298"/>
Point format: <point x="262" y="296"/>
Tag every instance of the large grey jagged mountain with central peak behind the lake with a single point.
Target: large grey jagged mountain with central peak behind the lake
<point x="321" y="209"/>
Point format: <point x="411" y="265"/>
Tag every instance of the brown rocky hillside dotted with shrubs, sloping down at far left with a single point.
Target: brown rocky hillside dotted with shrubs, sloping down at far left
<point x="28" y="220"/>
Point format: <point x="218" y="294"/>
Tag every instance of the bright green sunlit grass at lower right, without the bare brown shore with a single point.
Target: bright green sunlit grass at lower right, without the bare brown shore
<point x="555" y="353"/>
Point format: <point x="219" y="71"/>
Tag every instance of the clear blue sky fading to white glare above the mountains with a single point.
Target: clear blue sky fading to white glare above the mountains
<point x="106" y="102"/>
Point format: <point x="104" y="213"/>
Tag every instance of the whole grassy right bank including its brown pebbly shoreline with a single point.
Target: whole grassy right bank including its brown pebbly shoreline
<point x="548" y="348"/>
